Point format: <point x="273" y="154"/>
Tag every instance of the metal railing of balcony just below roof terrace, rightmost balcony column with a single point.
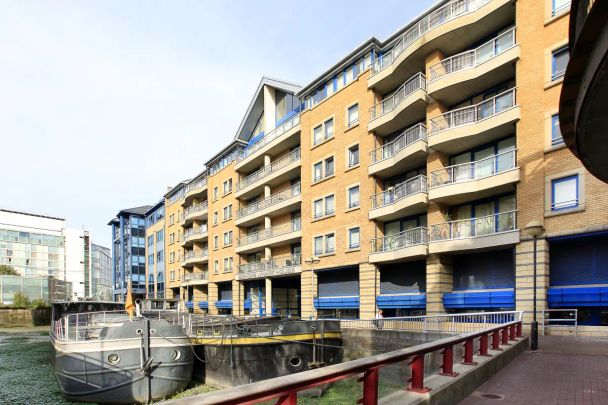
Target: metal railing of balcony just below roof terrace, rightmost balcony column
<point x="474" y="57"/>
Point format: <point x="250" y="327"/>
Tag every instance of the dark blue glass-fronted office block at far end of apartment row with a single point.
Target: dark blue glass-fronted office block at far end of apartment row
<point x="129" y="252"/>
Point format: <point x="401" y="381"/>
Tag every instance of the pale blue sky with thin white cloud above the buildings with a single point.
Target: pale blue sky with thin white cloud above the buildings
<point x="103" y="104"/>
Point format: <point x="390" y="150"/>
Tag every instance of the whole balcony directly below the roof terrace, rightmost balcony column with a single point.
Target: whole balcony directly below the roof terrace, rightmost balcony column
<point x="468" y="73"/>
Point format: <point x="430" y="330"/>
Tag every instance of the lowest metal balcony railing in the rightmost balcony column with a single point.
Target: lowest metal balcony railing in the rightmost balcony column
<point x="475" y="227"/>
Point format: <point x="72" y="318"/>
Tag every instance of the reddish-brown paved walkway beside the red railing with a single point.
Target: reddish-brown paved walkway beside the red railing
<point x="569" y="371"/>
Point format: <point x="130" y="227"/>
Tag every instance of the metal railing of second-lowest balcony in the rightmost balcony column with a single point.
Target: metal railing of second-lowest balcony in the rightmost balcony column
<point x="479" y="169"/>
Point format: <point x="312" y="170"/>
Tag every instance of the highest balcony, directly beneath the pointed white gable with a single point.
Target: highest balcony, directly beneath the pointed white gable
<point x="284" y="137"/>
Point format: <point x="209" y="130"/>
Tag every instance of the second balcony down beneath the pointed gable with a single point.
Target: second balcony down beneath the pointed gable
<point x="285" y="168"/>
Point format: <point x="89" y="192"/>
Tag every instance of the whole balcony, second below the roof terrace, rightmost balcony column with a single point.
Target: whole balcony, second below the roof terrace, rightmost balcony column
<point x="468" y="127"/>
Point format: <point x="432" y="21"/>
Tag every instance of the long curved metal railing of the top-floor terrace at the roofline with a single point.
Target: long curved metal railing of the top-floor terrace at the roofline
<point x="442" y="15"/>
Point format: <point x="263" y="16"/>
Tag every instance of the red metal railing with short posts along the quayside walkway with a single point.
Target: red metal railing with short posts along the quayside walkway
<point x="285" y="389"/>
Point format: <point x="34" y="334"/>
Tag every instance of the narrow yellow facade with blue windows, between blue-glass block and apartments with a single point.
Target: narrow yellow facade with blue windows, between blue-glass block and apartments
<point x="155" y="251"/>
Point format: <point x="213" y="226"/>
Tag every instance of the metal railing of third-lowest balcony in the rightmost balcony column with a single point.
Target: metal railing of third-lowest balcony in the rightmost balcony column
<point x="472" y="114"/>
